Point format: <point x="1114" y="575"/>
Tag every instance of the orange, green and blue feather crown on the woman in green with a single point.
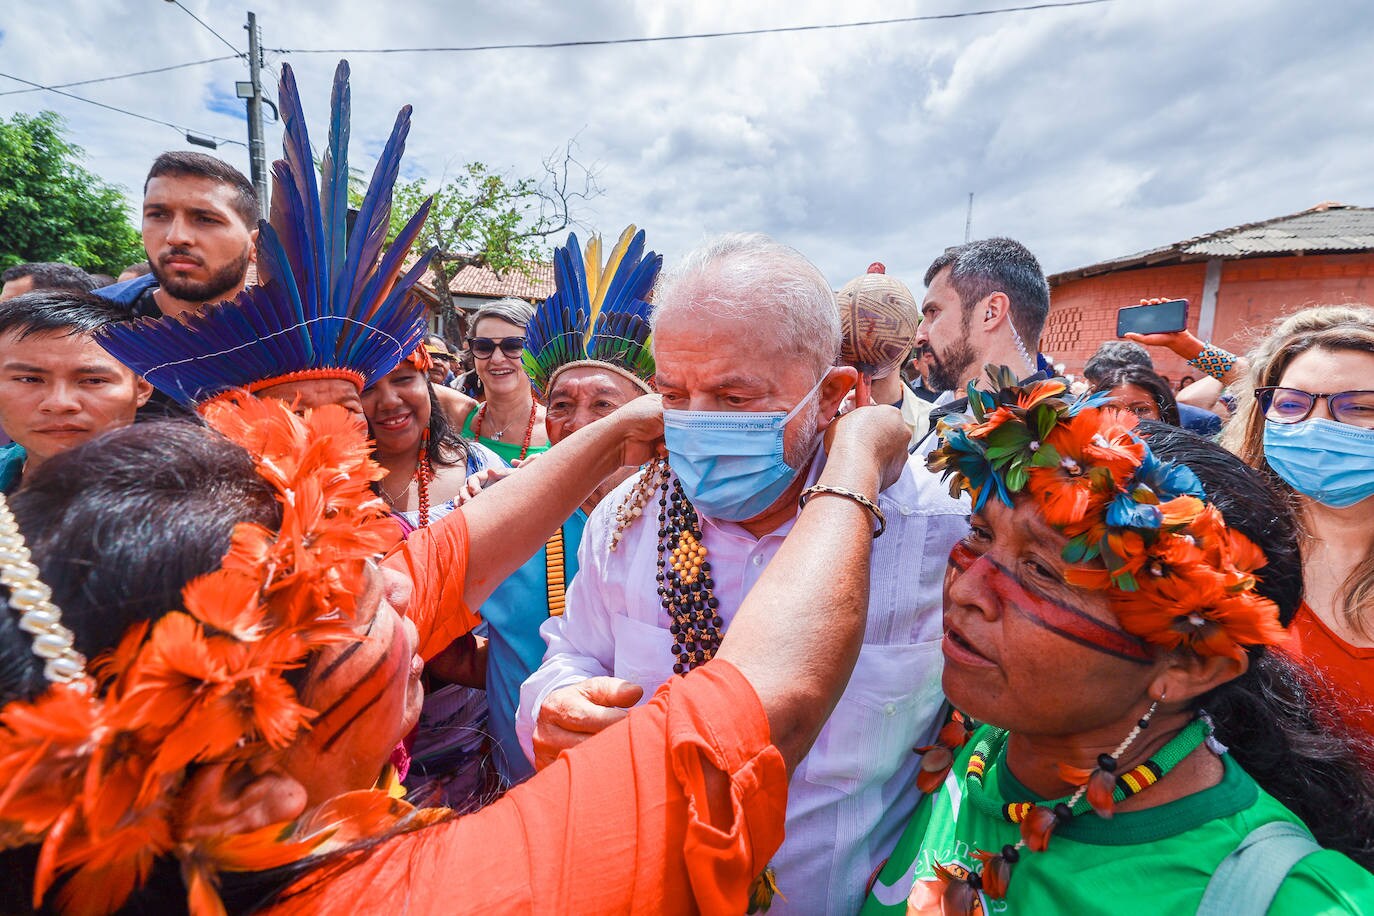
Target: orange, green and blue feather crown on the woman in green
<point x="1138" y="527"/>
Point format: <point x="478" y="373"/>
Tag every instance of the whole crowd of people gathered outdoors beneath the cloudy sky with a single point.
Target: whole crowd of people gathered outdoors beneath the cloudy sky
<point x="693" y="588"/>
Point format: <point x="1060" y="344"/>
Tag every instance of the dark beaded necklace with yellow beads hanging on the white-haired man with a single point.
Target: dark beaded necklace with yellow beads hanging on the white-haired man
<point x="685" y="586"/>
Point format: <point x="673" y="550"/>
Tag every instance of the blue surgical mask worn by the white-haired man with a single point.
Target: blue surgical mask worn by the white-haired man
<point x="732" y="463"/>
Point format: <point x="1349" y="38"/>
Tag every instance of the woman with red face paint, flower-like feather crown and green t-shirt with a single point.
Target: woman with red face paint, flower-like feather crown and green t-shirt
<point x="1122" y="727"/>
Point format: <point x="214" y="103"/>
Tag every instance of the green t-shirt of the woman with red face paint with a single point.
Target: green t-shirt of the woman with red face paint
<point x="1142" y="863"/>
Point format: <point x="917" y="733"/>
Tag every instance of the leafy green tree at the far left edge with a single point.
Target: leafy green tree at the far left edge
<point x="54" y="209"/>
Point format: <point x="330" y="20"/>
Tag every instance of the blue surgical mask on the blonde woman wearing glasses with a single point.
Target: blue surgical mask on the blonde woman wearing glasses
<point x="1329" y="462"/>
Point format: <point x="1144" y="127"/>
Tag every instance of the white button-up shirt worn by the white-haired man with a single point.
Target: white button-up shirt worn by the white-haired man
<point x="855" y="792"/>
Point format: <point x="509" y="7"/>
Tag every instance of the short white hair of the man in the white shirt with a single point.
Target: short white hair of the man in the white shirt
<point x="747" y="275"/>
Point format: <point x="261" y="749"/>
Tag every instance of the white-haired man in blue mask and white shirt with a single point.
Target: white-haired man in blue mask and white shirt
<point x="747" y="337"/>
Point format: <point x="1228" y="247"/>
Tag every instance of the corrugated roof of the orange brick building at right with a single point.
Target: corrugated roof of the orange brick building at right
<point x="1328" y="227"/>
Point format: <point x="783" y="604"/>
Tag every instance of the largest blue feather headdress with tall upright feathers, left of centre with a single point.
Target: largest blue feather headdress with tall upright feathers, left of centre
<point x="329" y="304"/>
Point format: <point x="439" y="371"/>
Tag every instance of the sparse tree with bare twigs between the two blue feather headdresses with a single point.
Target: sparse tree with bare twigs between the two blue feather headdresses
<point x="486" y="219"/>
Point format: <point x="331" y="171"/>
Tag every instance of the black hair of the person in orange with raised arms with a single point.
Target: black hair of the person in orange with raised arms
<point x="122" y="524"/>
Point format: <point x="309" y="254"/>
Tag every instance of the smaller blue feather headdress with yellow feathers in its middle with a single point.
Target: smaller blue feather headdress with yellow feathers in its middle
<point x="598" y="315"/>
